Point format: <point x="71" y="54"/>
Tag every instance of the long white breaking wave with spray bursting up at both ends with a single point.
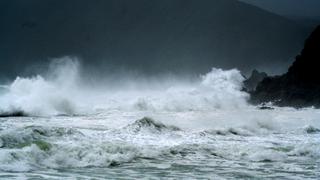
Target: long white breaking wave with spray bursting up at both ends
<point x="61" y="92"/>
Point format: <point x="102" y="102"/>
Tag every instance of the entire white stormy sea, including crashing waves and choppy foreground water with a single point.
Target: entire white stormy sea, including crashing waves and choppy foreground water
<point x="76" y="126"/>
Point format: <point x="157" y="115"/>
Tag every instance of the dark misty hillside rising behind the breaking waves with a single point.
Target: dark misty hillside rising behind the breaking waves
<point x="146" y="35"/>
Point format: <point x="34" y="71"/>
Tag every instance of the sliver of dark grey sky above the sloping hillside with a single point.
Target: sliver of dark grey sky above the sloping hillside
<point x="300" y="8"/>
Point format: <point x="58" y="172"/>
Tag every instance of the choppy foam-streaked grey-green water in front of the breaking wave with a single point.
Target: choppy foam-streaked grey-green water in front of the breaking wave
<point x="110" y="145"/>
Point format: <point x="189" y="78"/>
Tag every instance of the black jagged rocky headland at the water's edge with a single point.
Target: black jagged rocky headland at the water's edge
<point x="300" y="86"/>
